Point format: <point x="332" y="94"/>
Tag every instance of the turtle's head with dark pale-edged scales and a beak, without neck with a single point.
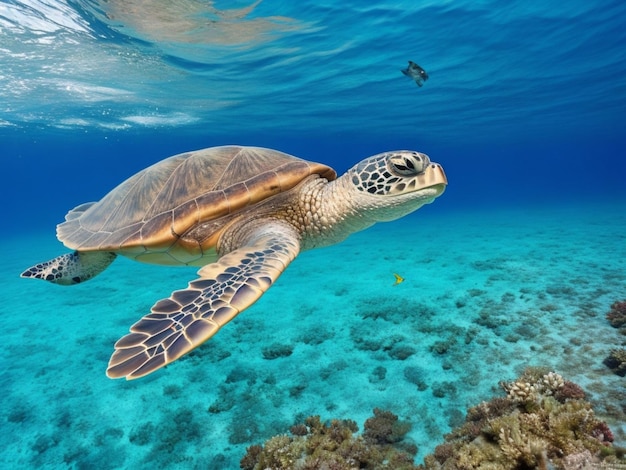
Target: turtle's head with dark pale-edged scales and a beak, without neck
<point x="391" y="185"/>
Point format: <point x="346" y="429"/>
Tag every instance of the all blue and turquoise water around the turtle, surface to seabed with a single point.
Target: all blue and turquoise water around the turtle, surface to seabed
<point x="516" y="264"/>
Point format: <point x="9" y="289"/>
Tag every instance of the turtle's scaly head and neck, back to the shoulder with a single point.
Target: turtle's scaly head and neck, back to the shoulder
<point x="325" y="213"/>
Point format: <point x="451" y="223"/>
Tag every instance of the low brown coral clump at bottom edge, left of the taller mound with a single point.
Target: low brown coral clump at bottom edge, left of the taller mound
<point x="315" y="445"/>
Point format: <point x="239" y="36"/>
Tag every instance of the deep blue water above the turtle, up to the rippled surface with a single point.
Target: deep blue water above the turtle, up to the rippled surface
<point x="525" y="100"/>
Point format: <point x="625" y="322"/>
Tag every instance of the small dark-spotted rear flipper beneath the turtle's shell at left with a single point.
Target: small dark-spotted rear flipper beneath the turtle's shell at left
<point x="71" y="268"/>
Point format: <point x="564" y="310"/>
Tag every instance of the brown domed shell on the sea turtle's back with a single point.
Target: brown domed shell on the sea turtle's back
<point x="152" y="210"/>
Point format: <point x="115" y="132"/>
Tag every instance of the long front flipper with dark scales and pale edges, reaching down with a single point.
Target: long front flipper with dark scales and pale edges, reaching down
<point x="191" y="316"/>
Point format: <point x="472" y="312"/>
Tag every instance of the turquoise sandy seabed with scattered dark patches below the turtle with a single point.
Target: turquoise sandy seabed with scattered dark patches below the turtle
<point x="486" y="294"/>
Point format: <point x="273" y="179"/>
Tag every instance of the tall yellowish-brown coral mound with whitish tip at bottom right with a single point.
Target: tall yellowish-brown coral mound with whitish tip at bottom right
<point x="543" y="422"/>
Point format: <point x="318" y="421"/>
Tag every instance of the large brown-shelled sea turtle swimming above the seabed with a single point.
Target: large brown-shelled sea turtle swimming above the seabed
<point x="243" y="214"/>
